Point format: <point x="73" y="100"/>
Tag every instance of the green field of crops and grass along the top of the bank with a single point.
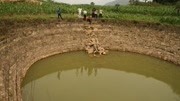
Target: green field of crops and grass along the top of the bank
<point x="153" y="14"/>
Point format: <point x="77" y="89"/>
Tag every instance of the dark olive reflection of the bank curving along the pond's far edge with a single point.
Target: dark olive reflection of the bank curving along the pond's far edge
<point x="121" y="61"/>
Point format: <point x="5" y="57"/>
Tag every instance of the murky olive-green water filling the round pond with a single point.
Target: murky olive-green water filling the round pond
<point x="117" y="76"/>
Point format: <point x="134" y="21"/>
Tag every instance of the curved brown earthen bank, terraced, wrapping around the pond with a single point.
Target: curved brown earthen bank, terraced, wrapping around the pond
<point x="21" y="47"/>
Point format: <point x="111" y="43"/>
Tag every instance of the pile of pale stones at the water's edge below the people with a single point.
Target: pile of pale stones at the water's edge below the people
<point x="92" y="46"/>
